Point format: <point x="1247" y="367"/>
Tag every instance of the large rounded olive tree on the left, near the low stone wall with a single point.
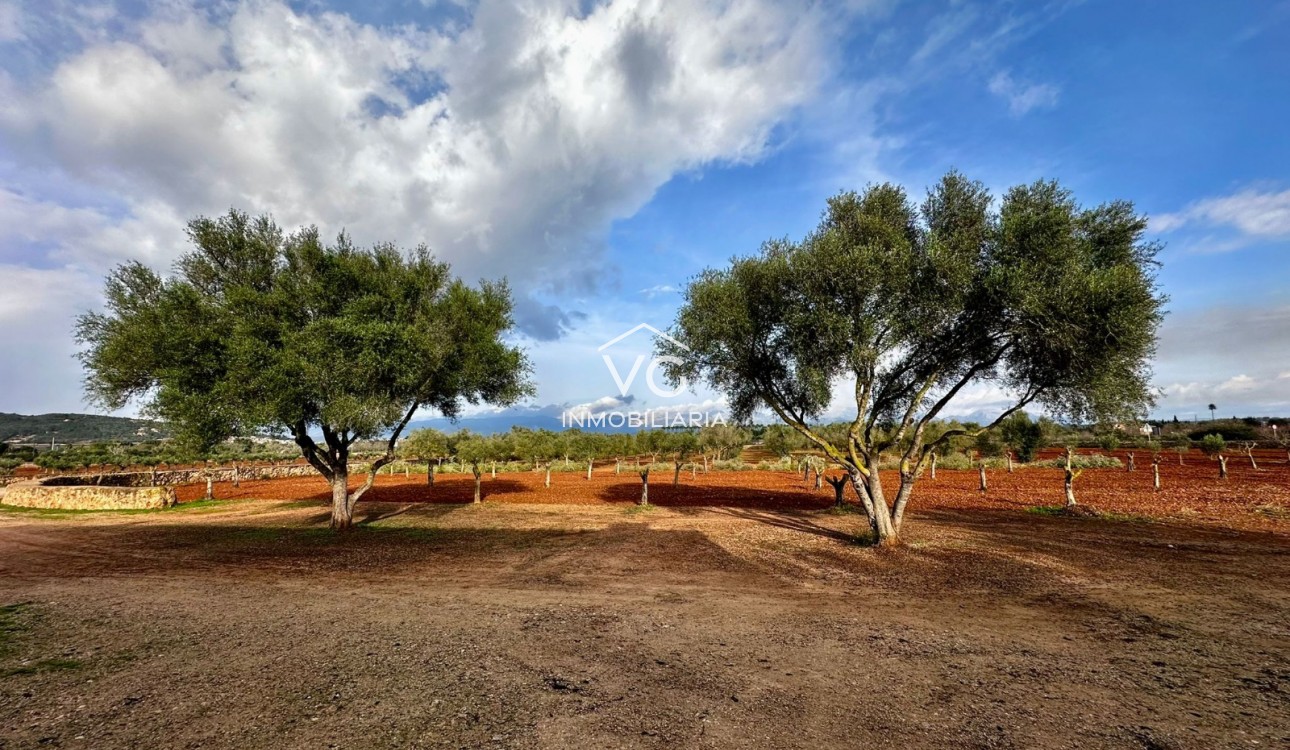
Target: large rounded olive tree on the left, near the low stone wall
<point x="257" y="330"/>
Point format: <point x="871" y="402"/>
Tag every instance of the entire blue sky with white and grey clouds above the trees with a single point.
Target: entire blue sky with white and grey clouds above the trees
<point x="600" y="154"/>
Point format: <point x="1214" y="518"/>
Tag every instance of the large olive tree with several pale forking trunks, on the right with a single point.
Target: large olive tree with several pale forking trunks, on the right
<point x="909" y="305"/>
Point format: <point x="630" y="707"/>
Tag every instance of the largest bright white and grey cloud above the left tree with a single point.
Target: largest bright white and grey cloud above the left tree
<point x="508" y="145"/>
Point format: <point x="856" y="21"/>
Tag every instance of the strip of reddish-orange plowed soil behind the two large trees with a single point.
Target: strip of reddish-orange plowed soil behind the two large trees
<point x="1191" y="494"/>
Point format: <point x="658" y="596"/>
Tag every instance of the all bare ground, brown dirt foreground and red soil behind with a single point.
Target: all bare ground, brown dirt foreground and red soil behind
<point x="737" y="614"/>
